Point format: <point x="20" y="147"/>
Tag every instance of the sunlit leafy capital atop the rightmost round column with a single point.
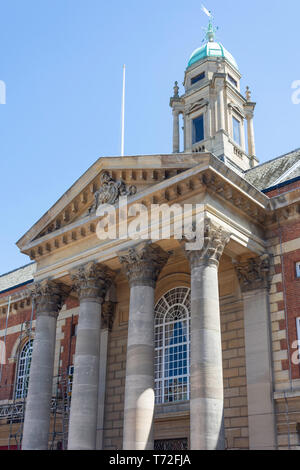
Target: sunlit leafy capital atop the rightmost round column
<point x="215" y="240"/>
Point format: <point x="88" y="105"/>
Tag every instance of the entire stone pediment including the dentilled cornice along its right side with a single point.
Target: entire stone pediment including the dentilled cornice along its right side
<point x="147" y="180"/>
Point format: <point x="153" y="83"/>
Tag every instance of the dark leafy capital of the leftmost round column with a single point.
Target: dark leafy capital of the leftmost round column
<point x="49" y="297"/>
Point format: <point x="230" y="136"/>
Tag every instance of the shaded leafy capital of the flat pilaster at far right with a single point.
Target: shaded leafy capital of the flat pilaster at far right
<point x="253" y="274"/>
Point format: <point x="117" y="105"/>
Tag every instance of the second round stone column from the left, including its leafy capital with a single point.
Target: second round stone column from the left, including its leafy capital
<point x="91" y="282"/>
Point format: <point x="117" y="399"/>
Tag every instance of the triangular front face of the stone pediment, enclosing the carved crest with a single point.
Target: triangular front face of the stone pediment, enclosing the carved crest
<point x="104" y="182"/>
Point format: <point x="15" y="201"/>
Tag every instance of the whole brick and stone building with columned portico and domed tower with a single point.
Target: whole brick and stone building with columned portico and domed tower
<point x="137" y="342"/>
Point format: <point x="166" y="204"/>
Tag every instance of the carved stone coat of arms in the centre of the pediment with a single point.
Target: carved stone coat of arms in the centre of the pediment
<point x="110" y="191"/>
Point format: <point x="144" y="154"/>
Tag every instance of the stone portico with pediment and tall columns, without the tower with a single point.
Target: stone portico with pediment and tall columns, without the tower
<point x="227" y="277"/>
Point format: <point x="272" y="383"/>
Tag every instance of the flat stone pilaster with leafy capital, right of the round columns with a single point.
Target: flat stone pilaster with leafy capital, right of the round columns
<point x="254" y="280"/>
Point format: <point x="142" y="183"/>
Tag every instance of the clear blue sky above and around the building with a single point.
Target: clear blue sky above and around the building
<point x="62" y="62"/>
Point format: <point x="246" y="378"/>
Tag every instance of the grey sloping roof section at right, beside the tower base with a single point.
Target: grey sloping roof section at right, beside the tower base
<point x="276" y="171"/>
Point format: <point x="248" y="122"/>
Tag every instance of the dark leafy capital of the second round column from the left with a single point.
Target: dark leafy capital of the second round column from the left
<point x="91" y="281"/>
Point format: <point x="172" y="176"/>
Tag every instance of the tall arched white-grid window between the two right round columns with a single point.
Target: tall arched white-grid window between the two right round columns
<point x="172" y="346"/>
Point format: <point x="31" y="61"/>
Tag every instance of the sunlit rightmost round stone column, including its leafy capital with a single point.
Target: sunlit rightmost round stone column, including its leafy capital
<point x="206" y="370"/>
